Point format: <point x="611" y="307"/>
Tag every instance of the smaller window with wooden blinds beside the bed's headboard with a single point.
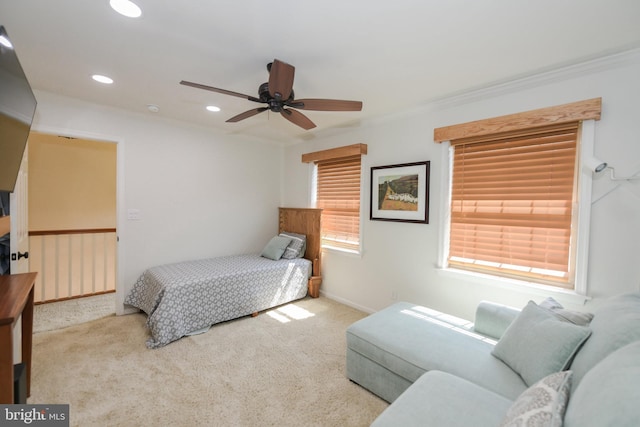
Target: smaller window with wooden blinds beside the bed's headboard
<point x="337" y="193"/>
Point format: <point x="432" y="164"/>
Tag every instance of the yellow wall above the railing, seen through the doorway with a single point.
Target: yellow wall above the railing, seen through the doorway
<point x="72" y="183"/>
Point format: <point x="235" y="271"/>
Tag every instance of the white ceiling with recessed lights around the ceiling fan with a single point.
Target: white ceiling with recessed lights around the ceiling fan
<point x="392" y="55"/>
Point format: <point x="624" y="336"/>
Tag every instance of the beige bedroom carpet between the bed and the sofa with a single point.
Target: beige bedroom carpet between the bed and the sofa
<point x="285" y="367"/>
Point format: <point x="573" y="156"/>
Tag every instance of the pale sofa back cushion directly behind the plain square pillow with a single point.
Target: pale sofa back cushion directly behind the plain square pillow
<point x="616" y="323"/>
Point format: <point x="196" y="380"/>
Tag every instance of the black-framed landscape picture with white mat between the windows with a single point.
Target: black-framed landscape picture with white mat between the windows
<point x="400" y="193"/>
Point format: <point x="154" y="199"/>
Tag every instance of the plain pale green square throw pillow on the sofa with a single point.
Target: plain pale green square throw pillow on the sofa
<point x="537" y="343"/>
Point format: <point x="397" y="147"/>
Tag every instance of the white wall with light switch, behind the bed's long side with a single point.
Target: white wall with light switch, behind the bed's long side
<point x="199" y="193"/>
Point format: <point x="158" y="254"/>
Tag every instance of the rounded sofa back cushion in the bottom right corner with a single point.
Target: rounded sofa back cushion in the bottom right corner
<point x="609" y="394"/>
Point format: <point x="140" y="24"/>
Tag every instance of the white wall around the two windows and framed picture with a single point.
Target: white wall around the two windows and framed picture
<point x="401" y="258"/>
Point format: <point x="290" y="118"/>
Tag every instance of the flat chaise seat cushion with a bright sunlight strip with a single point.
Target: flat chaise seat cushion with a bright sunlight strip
<point x="409" y="340"/>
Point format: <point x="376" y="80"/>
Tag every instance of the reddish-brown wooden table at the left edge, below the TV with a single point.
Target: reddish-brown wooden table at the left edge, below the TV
<point x="16" y="297"/>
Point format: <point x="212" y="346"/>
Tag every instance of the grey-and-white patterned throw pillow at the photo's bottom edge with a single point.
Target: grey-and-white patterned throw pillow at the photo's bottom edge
<point x="543" y="404"/>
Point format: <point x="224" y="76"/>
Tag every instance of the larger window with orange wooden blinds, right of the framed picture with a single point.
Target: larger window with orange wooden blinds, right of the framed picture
<point x="514" y="193"/>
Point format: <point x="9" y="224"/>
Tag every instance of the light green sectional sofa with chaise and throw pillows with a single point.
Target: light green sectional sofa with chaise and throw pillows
<point x="437" y="370"/>
